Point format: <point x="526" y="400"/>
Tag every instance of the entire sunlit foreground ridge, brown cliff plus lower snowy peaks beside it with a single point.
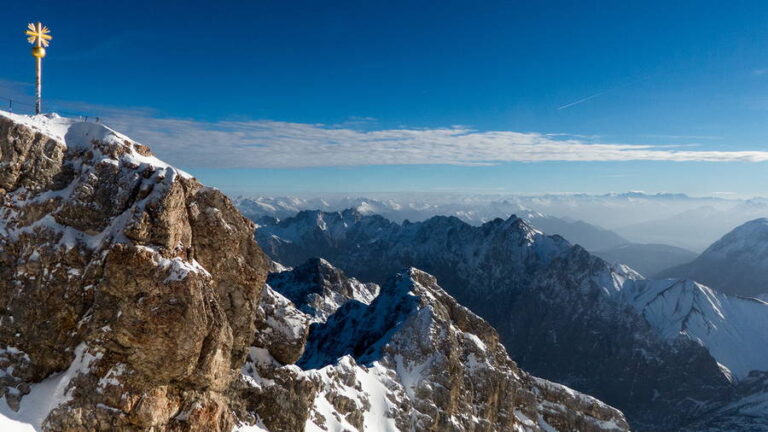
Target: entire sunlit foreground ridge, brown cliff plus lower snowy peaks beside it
<point x="134" y="299"/>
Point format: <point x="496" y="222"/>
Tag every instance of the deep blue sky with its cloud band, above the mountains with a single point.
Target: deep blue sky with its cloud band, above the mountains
<point x="282" y="97"/>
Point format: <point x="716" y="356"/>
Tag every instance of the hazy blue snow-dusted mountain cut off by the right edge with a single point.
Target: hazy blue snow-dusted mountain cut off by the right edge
<point x="736" y="264"/>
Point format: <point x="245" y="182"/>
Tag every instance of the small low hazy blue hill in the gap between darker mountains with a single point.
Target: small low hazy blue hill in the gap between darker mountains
<point x="648" y="259"/>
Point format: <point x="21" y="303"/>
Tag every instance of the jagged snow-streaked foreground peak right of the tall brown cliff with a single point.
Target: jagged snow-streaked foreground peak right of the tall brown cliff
<point x="413" y="359"/>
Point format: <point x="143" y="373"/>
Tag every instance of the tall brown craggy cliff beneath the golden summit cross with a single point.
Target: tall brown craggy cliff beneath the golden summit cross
<point x="128" y="274"/>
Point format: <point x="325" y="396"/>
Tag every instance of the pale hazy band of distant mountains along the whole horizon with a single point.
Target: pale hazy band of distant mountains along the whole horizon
<point x="611" y="220"/>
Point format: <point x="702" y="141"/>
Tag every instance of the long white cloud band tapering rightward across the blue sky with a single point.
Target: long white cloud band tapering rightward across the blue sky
<point x="273" y="144"/>
